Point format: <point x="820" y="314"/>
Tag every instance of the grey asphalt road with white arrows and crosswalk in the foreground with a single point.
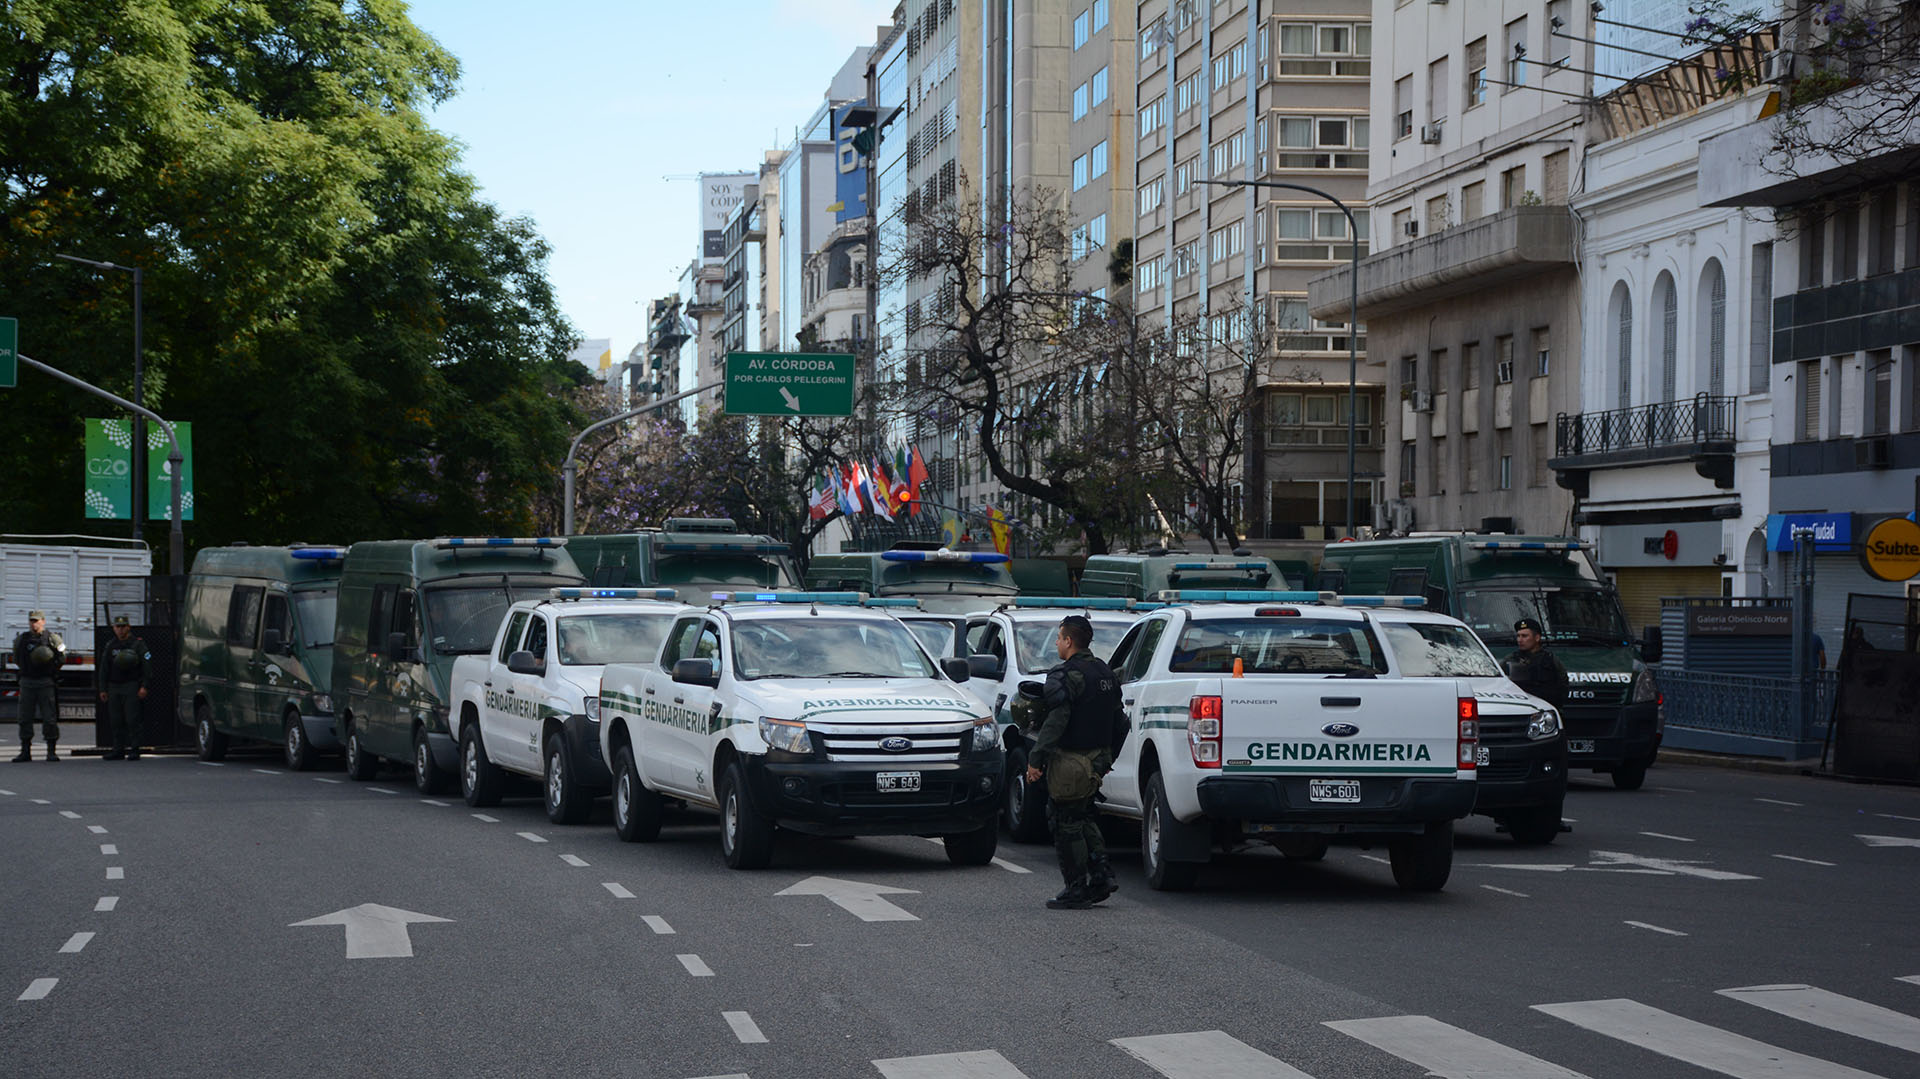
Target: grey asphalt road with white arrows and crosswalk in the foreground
<point x="153" y="930"/>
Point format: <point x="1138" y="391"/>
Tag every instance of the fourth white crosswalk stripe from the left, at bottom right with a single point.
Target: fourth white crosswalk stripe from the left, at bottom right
<point x="1696" y="1043"/>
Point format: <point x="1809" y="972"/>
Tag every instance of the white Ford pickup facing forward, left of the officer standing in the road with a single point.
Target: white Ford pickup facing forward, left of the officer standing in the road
<point x="802" y="711"/>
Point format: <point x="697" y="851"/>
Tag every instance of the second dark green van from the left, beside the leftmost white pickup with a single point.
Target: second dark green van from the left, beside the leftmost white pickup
<point x="408" y="608"/>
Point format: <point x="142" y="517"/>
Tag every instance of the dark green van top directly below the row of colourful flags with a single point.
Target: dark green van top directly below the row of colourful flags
<point x="946" y="583"/>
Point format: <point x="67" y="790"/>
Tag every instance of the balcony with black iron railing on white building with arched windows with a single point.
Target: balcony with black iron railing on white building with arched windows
<point x="1698" y="431"/>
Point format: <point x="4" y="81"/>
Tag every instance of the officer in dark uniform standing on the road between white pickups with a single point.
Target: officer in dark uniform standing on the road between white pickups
<point x="1076" y="748"/>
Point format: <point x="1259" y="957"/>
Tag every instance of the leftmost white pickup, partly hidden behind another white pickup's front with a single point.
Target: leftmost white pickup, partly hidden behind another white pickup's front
<point x="531" y="704"/>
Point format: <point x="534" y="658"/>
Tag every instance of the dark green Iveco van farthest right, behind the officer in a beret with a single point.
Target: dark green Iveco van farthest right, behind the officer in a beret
<point x="1491" y="583"/>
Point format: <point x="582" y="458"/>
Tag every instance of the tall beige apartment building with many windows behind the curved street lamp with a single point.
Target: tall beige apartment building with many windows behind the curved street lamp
<point x="1230" y="93"/>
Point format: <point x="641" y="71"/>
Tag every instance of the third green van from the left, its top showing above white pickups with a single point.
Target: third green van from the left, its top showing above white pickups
<point x="694" y="556"/>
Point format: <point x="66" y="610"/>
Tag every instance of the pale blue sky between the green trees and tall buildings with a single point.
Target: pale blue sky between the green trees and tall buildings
<point x="575" y="110"/>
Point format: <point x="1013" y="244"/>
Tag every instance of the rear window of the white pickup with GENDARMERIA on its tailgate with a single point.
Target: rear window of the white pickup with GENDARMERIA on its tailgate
<point x="1278" y="646"/>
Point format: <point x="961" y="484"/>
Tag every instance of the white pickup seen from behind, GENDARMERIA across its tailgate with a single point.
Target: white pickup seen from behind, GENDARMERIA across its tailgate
<point x="1278" y="717"/>
